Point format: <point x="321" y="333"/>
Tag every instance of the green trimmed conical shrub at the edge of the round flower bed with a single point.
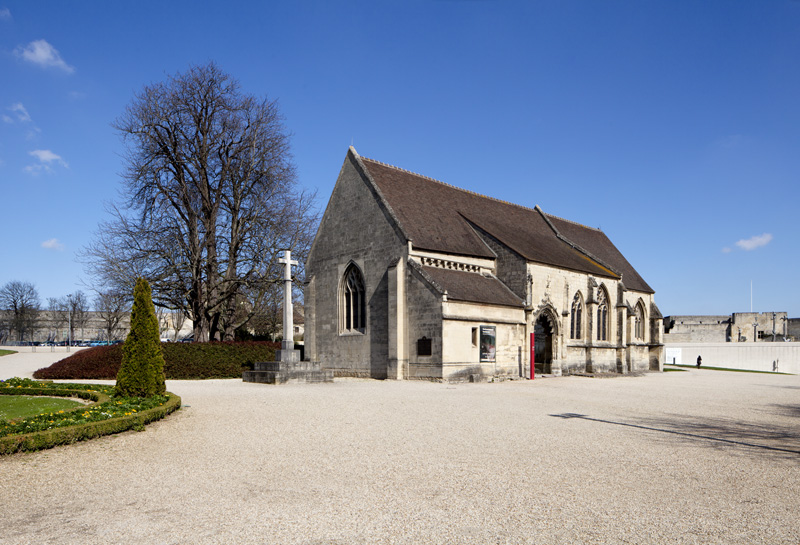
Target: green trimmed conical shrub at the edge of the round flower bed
<point x="142" y="370"/>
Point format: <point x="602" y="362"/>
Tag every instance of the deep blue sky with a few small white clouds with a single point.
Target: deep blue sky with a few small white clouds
<point x="672" y="125"/>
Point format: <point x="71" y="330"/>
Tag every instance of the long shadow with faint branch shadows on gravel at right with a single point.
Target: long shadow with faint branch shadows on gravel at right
<point x="718" y="433"/>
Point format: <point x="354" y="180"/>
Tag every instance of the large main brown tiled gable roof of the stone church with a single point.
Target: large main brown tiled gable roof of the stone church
<point x="440" y="217"/>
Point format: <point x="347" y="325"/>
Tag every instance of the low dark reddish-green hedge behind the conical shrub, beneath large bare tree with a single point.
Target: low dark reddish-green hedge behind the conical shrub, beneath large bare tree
<point x="182" y="361"/>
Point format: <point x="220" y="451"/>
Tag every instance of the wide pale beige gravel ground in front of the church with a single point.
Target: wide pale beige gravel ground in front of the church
<point x="694" y="457"/>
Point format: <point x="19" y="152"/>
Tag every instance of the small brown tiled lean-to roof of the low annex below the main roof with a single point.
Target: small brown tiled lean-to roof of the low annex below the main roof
<point x="472" y="287"/>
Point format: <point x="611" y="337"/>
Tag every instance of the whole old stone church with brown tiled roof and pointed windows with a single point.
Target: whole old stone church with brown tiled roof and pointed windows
<point x="412" y="278"/>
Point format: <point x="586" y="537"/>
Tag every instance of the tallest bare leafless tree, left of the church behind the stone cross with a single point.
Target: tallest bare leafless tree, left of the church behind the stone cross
<point x="210" y="197"/>
